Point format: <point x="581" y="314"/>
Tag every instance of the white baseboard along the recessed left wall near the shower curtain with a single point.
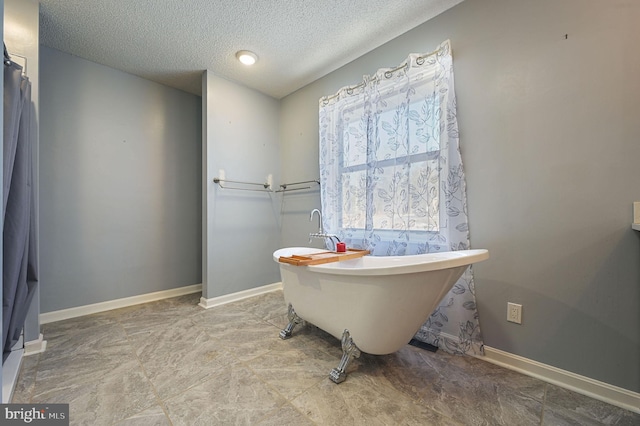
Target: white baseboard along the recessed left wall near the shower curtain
<point x="95" y="308"/>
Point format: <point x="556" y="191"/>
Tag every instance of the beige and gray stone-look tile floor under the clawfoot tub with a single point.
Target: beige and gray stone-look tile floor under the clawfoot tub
<point x="173" y="363"/>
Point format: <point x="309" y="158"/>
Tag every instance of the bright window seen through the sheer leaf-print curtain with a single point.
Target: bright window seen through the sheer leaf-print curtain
<point x="402" y="164"/>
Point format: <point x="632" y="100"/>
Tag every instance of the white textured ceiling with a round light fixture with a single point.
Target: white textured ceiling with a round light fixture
<point x="173" y="41"/>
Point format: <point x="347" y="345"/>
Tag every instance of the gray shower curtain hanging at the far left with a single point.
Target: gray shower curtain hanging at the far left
<point x="19" y="274"/>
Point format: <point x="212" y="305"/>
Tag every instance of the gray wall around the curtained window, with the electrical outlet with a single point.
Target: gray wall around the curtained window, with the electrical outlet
<point x="550" y="138"/>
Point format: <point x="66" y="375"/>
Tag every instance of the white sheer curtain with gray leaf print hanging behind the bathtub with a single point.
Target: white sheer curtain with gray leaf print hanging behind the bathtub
<point x="392" y="179"/>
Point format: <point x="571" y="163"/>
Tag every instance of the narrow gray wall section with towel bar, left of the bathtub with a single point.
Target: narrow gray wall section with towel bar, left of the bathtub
<point x="240" y="228"/>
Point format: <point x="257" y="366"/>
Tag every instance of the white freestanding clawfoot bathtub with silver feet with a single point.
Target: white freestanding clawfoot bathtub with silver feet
<point x="375" y="304"/>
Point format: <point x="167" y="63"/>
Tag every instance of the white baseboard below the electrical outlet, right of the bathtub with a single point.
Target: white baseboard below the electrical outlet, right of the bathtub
<point x="595" y="389"/>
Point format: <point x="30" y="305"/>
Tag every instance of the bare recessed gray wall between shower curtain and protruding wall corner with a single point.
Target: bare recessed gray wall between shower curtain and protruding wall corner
<point x="120" y="166"/>
